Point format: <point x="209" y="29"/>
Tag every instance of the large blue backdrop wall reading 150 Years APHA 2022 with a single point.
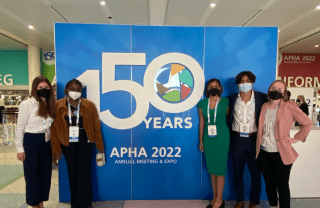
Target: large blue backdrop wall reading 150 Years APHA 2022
<point x="146" y="82"/>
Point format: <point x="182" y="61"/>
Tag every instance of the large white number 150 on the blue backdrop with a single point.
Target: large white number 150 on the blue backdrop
<point x="142" y="94"/>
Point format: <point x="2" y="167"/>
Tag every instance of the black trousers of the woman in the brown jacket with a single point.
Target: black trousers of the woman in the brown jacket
<point x="78" y="157"/>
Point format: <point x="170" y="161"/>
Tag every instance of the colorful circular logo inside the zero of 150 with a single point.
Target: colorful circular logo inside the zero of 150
<point x="174" y="83"/>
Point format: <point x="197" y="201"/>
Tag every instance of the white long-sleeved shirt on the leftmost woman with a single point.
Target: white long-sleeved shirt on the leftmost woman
<point x="29" y="121"/>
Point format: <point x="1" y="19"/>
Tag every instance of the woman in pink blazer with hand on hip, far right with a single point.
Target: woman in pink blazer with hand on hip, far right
<point x="274" y="151"/>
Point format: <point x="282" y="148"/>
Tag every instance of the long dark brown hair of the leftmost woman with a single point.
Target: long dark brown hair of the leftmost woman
<point x="48" y="108"/>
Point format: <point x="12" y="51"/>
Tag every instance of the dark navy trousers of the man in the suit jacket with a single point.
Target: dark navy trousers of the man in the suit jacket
<point x="243" y="150"/>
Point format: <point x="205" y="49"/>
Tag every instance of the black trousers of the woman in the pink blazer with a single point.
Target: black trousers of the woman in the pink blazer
<point x="276" y="175"/>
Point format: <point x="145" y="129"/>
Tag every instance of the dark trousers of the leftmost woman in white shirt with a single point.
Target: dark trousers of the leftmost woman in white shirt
<point x="37" y="168"/>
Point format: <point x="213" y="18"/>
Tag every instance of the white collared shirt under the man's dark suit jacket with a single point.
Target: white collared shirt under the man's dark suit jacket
<point x="245" y="111"/>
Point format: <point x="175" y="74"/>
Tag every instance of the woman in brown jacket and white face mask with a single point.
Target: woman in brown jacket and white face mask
<point x="73" y="132"/>
